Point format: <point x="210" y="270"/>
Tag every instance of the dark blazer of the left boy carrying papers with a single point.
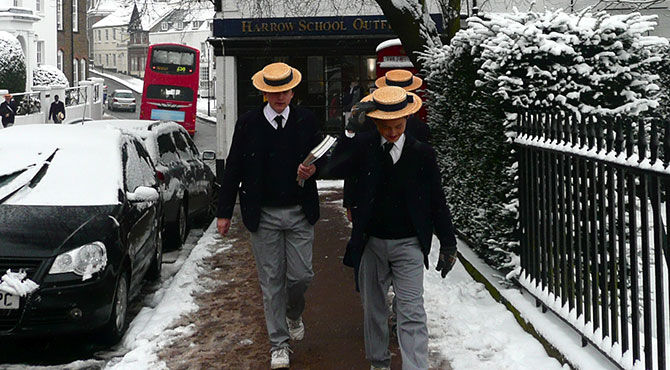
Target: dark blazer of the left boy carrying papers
<point x="245" y="166"/>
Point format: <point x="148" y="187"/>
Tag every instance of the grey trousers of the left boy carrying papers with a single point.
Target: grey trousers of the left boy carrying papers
<point x="282" y="247"/>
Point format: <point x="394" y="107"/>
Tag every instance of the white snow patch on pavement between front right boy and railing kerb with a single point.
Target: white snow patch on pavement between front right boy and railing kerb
<point x="473" y="331"/>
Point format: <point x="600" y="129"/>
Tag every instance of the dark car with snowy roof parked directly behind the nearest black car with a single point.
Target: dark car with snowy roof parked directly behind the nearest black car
<point x="188" y="185"/>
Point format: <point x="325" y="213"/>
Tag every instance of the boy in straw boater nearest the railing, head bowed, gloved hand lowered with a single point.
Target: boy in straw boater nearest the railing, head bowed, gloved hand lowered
<point x="399" y="204"/>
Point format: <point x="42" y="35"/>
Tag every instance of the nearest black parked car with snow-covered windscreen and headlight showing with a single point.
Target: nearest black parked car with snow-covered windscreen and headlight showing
<point x="80" y="214"/>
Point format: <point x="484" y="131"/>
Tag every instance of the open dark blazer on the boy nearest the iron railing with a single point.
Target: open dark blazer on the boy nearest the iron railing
<point x="360" y="156"/>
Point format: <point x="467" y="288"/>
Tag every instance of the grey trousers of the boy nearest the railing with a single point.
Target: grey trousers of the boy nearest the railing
<point x="399" y="261"/>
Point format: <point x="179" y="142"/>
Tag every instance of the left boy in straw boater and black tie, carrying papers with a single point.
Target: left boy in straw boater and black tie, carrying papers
<point x="268" y="147"/>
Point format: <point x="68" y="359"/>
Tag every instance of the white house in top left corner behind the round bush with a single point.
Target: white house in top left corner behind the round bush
<point x="33" y="22"/>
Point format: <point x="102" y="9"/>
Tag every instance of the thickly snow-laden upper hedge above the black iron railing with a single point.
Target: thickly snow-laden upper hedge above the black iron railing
<point x="586" y="63"/>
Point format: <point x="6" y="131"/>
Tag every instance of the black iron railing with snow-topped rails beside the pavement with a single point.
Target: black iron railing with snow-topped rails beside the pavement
<point x="593" y="207"/>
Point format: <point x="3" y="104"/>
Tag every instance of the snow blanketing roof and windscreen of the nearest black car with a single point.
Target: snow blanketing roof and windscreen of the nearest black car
<point x="85" y="168"/>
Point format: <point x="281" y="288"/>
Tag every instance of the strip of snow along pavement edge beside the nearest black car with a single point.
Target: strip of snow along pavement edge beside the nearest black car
<point x="152" y="328"/>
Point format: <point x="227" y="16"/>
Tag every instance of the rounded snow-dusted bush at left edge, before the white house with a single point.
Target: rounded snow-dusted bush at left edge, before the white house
<point x="12" y="64"/>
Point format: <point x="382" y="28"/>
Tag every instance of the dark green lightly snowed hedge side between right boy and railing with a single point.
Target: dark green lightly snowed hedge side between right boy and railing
<point x="468" y="127"/>
